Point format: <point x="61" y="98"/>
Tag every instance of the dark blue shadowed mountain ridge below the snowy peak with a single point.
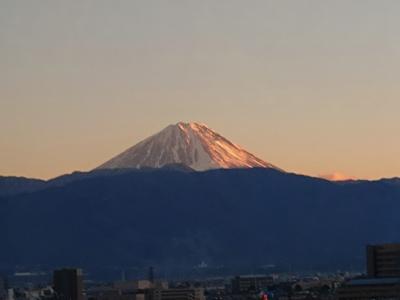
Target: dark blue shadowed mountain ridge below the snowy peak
<point x="169" y="218"/>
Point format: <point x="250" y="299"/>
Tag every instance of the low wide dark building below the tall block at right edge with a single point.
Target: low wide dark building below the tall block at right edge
<point x="370" y="289"/>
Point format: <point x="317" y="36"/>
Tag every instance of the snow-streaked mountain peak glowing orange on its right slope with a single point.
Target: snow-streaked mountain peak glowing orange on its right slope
<point x="191" y="144"/>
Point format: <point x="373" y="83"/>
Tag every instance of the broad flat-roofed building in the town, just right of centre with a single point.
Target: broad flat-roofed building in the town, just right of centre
<point x="254" y="283"/>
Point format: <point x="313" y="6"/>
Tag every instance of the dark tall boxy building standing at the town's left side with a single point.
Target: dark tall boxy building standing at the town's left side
<point x="68" y="284"/>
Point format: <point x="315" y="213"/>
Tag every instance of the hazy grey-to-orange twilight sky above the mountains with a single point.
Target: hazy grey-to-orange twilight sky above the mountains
<point x="311" y="86"/>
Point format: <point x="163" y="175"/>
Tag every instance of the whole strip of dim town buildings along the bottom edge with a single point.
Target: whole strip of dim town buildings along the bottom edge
<point x="381" y="281"/>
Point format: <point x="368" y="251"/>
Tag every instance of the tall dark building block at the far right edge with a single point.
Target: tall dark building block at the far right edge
<point x="383" y="260"/>
